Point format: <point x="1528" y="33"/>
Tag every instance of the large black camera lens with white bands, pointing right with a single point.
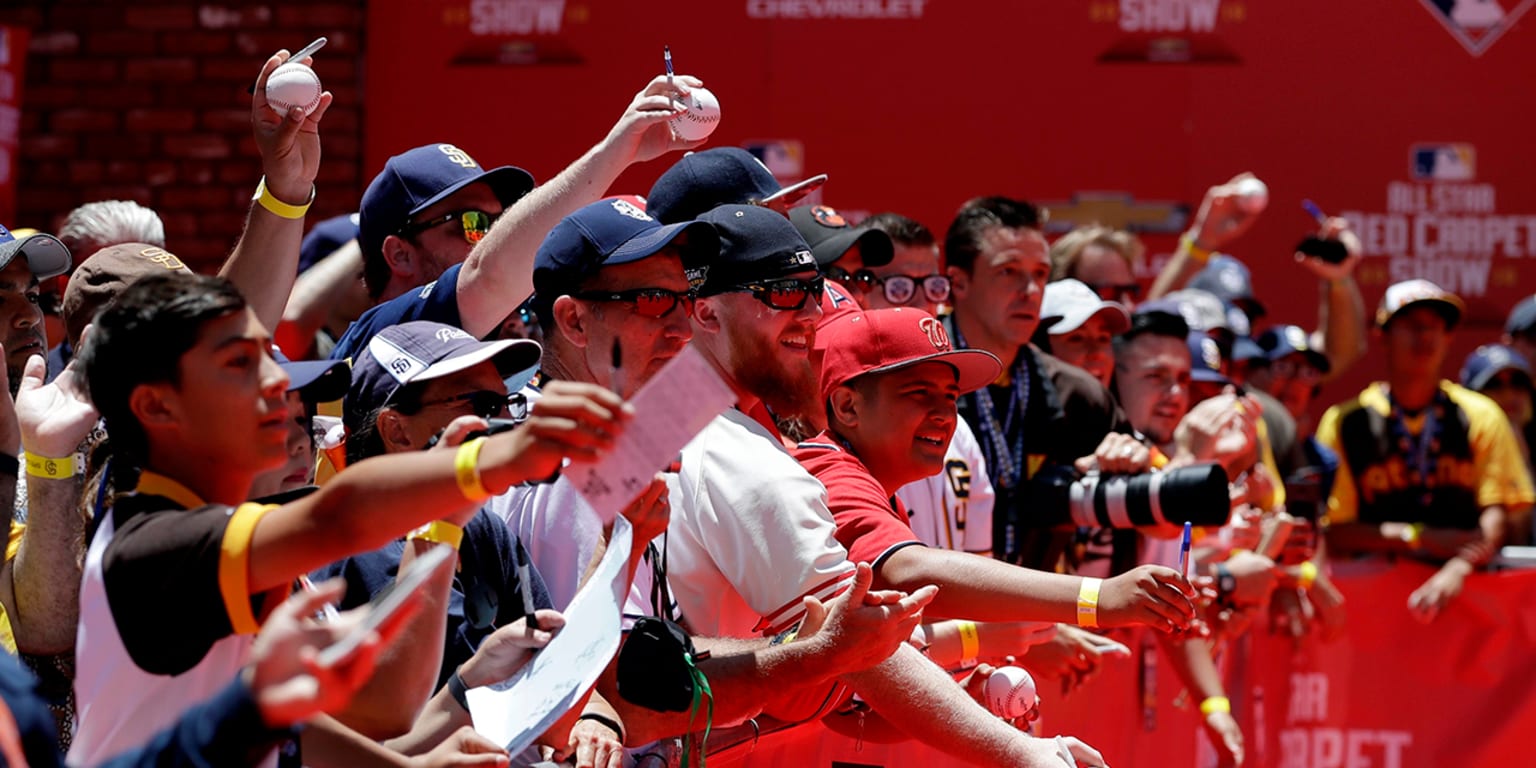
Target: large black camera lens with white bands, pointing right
<point x="1196" y="494"/>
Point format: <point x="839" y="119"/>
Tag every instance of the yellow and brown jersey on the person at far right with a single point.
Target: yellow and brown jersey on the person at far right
<point x="1440" y="466"/>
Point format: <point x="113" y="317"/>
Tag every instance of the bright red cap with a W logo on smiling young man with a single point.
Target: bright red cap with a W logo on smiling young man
<point x="886" y="340"/>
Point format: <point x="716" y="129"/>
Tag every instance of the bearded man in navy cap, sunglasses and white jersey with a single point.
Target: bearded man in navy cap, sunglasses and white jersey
<point x="752" y="537"/>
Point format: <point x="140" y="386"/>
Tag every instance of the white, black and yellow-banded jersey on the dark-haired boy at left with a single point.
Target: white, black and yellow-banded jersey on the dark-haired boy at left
<point x="167" y="615"/>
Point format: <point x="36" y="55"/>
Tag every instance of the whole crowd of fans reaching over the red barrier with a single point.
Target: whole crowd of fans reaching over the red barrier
<point x="950" y="452"/>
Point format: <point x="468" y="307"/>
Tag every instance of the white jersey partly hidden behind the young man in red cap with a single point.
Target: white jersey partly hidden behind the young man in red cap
<point x="953" y="511"/>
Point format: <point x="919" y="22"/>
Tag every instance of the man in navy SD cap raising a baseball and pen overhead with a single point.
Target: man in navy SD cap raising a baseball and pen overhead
<point x="449" y="242"/>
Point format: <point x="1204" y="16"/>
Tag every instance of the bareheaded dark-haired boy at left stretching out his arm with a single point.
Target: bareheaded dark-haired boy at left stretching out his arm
<point x="180" y="569"/>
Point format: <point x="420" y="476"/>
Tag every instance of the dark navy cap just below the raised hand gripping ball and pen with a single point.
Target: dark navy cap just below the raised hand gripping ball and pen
<point x="723" y="176"/>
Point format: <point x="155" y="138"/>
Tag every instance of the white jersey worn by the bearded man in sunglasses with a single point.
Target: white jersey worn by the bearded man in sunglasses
<point x="750" y="534"/>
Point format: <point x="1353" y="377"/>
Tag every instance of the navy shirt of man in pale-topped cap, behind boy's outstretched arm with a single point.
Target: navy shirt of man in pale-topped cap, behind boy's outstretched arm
<point x="486" y="591"/>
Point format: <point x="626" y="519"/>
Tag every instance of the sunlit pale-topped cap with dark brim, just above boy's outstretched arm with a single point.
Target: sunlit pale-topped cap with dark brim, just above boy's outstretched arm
<point x="422" y="351"/>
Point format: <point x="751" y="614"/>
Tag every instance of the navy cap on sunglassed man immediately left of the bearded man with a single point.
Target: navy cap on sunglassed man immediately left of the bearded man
<point x="607" y="233"/>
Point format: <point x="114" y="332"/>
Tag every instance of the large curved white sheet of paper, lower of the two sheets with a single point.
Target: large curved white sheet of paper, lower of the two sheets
<point x="517" y="712"/>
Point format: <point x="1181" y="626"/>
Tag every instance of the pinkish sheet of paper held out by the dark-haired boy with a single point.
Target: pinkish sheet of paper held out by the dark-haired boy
<point x="669" y="411"/>
